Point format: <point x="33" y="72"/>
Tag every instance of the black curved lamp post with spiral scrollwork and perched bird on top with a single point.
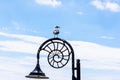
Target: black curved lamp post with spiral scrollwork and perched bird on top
<point x="59" y="52"/>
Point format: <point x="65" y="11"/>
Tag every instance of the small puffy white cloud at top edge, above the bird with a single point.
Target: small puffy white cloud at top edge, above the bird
<point x="53" y="3"/>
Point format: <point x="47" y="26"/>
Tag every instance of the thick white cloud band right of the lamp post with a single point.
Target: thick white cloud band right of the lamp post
<point x="97" y="56"/>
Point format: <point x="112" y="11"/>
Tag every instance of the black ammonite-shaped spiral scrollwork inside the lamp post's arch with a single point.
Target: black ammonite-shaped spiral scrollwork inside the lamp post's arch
<point x="59" y="52"/>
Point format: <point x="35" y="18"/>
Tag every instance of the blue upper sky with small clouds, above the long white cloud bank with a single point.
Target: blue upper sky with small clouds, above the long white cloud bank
<point x="87" y="20"/>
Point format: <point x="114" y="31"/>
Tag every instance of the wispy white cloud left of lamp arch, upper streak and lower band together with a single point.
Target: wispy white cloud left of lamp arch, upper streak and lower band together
<point x="24" y="43"/>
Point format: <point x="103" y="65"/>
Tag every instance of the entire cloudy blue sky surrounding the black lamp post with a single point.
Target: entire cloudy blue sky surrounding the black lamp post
<point x="91" y="26"/>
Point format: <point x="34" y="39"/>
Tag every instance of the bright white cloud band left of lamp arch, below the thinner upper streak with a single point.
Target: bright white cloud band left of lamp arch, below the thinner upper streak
<point x="18" y="46"/>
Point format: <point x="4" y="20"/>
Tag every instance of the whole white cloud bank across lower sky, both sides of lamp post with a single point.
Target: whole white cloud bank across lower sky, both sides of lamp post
<point x="93" y="56"/>
